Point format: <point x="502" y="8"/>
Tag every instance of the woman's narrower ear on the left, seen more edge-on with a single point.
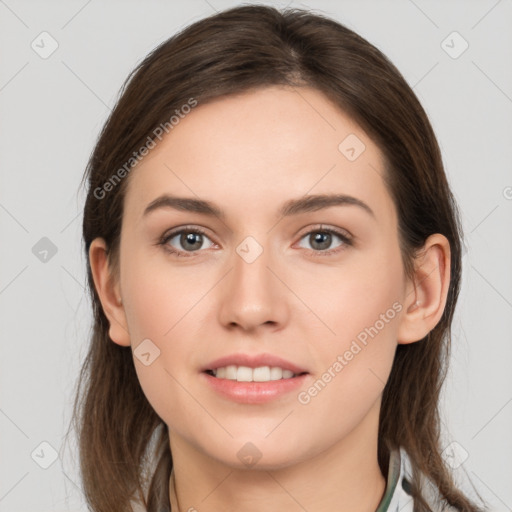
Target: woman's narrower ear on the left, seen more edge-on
<point x="108" y="290"/>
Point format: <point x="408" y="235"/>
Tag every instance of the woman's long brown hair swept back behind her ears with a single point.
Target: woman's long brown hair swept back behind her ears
<point x="123" y="444"/>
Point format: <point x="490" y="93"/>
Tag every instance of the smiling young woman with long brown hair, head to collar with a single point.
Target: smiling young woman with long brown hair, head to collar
<point x="274" y="257"/>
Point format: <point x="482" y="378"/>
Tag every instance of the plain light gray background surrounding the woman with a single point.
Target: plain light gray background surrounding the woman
<point x="51" y="113"/>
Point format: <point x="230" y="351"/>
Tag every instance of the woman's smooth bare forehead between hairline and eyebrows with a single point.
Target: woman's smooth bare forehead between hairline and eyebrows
<point x="252" y="151"/>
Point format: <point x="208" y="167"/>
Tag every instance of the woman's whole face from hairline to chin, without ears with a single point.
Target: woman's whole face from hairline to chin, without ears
<point x="298" y="269"/>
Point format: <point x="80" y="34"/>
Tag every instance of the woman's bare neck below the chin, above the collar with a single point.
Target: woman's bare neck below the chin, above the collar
<point x="344" y="478"/>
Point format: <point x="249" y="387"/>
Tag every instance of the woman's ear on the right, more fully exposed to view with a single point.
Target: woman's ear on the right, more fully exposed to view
<point x="425" y="298"/>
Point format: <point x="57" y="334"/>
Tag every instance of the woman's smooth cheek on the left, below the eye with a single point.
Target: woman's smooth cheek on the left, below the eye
<point x="163" y="306"/>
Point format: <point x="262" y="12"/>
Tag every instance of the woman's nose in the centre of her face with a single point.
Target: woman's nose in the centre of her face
<point x="252" y="295"/>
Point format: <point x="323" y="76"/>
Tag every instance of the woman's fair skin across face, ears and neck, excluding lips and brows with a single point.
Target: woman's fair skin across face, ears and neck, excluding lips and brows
<point x="248" y="154"/>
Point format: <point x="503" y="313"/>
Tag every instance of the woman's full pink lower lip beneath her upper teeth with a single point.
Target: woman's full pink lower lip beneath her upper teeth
<point x="254" y="392"/>
